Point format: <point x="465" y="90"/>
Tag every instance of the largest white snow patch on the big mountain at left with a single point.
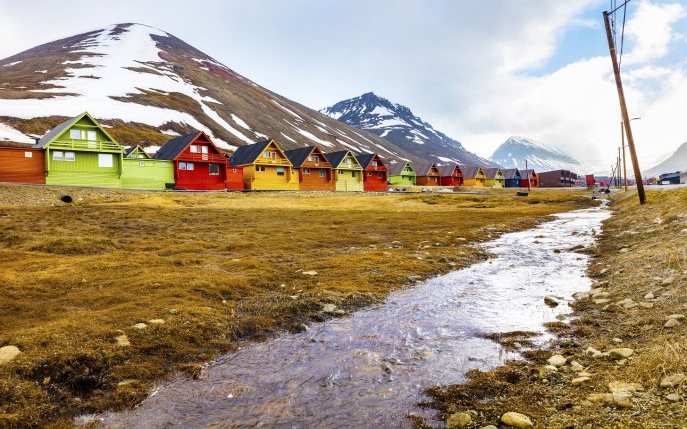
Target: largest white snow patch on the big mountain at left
<point x="132" y="48"/>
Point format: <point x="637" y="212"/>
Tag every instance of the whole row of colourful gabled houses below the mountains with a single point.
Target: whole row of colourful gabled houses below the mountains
<point x="80" y="152"/>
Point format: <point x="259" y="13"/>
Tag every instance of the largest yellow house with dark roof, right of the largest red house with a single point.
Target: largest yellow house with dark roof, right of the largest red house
<point x="265" y="167"/>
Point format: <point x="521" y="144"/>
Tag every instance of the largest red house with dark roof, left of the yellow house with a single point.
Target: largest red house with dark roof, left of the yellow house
<point x="198" y="163"/>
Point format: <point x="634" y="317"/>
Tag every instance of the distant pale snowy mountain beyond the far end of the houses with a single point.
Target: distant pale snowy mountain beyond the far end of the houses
<point x="514" y="151"/>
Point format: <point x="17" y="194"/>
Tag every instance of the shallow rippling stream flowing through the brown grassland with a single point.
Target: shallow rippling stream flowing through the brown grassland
<point x="369" y="369"/>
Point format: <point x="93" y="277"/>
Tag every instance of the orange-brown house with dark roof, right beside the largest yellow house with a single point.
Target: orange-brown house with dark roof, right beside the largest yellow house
<point x="314" y="171"/>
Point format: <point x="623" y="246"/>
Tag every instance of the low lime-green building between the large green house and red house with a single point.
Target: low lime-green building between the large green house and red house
<point x="140" y="171"/>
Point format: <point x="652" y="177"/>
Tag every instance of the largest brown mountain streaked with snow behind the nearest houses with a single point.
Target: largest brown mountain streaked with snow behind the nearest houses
<point x="147" y="85"/>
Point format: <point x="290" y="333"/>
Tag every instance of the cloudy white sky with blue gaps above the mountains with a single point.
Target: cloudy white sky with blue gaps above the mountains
<point x="480" y="71"/>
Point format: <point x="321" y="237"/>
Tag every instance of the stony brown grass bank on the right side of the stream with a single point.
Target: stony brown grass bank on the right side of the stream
<point x="641" y="256"/>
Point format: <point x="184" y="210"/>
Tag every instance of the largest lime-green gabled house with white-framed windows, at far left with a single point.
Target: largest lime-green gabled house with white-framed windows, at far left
<point x="80" y="152"/>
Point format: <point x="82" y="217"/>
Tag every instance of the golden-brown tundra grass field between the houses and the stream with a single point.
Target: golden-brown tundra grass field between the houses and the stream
<point x="112" y="293"/>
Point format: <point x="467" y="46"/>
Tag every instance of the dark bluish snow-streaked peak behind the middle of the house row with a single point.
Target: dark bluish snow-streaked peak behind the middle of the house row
<point x="397" y="124"/>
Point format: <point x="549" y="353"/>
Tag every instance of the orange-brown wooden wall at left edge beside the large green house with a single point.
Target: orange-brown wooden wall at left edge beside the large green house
<point x="22" y="165"/>
